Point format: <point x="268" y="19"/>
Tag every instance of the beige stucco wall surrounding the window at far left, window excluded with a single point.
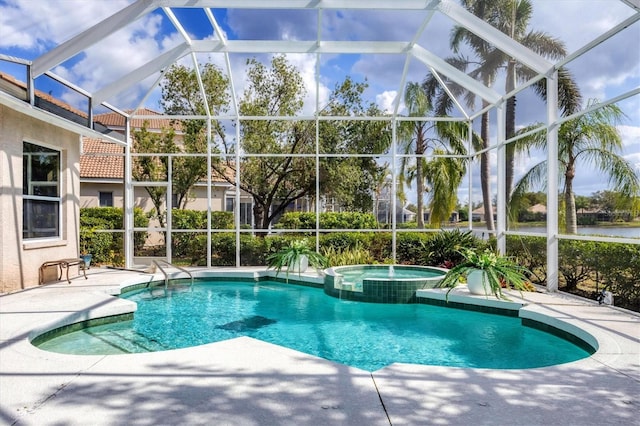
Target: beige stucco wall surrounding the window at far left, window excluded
<point x="20" y="260"/>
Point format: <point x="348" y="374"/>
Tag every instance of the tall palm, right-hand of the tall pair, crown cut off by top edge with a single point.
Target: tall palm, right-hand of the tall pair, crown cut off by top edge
<point x="512" y="17"/>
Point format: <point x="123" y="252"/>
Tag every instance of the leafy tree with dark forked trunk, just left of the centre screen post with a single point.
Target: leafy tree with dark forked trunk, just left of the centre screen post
<point x="282" y="177"/>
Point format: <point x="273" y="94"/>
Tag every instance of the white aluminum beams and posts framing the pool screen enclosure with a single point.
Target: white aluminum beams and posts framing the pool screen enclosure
<point x="411" y="49"/>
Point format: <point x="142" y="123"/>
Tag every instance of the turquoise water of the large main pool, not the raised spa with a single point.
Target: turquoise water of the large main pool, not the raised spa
<point x="364" y="335"/>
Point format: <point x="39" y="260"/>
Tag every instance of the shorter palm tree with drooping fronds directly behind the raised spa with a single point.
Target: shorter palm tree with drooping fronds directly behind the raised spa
<point x="414" y="142"/>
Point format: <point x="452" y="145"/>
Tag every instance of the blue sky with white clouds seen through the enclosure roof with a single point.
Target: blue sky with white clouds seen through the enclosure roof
<point x="29" y="28"/>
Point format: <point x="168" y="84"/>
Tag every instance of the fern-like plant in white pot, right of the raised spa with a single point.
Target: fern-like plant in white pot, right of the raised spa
<point x="486" y="272"/>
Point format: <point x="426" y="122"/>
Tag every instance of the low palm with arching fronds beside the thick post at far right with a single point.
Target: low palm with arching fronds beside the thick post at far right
<point x="591" y="139"/>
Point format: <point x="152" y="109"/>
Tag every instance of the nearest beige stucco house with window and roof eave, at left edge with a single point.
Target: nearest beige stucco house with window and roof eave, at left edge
<point x="39" y="181"/>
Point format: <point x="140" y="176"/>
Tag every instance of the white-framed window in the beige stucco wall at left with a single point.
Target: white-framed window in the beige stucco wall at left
<point x="41" y="201"/>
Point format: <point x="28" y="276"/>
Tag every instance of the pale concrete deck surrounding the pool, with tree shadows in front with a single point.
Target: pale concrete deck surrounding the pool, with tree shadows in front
<point x="248" y="382"/>
